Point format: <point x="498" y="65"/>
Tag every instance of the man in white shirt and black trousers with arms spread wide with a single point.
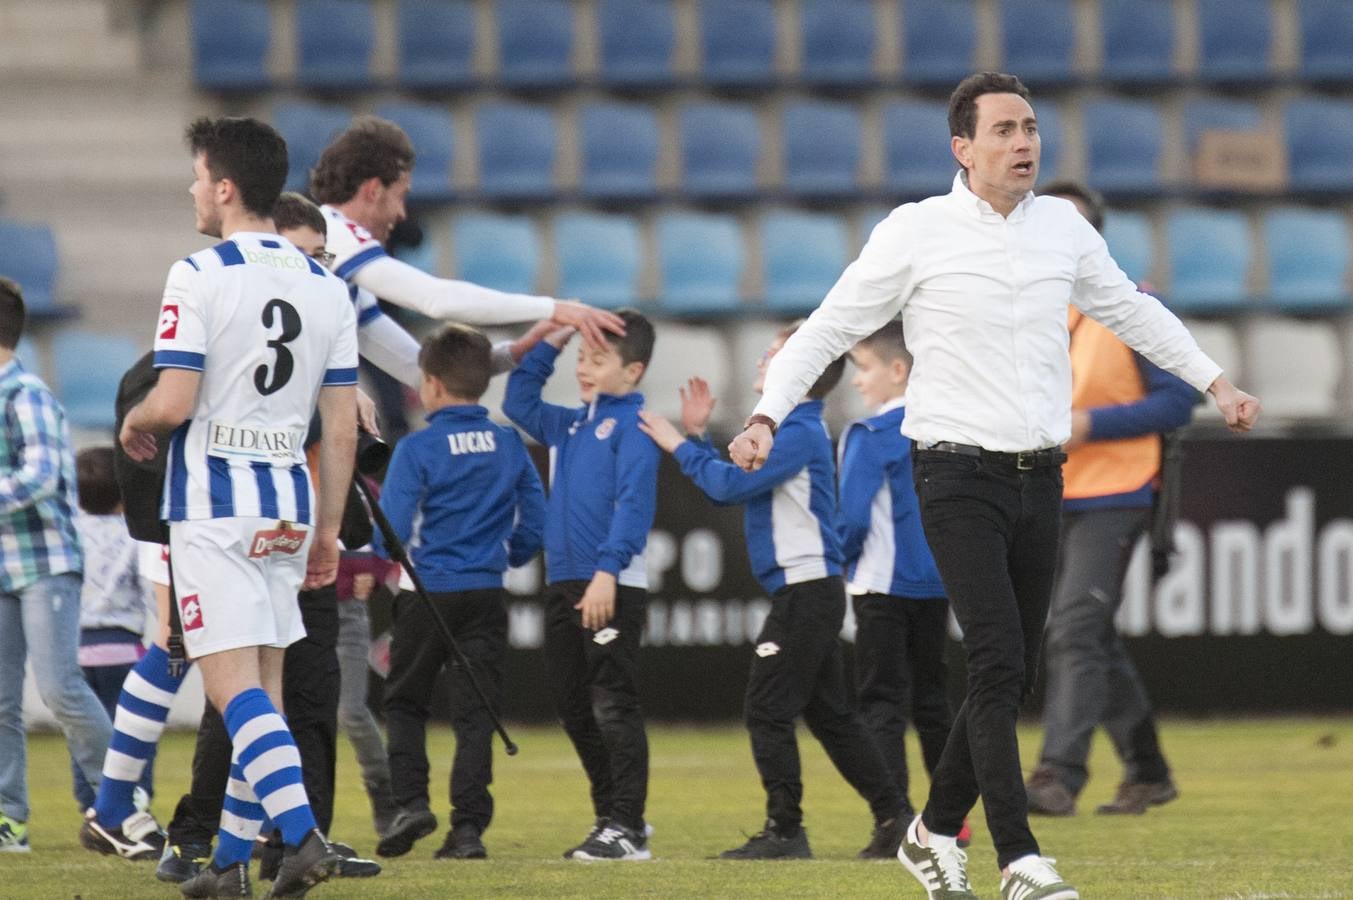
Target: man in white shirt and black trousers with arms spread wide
<point x="983" y="278"/>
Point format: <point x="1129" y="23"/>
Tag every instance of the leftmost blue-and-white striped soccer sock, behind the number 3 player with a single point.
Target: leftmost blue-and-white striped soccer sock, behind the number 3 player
<point x="137" y="726"/>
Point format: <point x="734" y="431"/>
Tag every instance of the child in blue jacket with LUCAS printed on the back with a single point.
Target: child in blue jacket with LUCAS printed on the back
<point x="465" y="497"/>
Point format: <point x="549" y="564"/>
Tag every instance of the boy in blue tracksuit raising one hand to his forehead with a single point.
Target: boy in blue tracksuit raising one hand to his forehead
<point x="603" y="496"/>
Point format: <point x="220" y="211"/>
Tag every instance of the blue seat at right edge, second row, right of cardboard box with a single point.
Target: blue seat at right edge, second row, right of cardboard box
<point x="1320" y="144"/>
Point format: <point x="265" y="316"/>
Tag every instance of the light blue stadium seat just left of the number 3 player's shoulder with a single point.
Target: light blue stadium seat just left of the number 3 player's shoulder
<point x="91" y="366"/>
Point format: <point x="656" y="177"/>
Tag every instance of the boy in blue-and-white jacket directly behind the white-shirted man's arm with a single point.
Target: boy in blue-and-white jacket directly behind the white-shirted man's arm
<point x="895" y="587"/>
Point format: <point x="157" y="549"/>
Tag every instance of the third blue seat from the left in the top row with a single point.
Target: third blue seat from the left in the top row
<point x="436" y="44"/>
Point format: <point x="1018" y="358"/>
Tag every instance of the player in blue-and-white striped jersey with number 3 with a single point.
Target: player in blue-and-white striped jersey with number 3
<point x="252" y="336"/>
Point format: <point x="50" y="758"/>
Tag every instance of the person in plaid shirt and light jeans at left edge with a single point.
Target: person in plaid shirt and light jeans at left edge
<point x="40" y="579"/>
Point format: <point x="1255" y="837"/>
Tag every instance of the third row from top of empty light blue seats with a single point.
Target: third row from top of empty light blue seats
<point x="783" y="262"/>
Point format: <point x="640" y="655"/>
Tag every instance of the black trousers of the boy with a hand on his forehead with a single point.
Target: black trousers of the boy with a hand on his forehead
<point x="595" y="676"/>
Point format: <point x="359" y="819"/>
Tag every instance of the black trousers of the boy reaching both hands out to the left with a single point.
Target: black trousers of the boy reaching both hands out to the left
<point x="800" y="671"/>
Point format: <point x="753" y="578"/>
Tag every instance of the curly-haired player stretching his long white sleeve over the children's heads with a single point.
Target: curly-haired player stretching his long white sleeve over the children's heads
<point x="362" y="183"/>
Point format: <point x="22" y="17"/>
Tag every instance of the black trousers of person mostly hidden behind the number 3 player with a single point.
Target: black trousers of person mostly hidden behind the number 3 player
<point x="311" y="700"/>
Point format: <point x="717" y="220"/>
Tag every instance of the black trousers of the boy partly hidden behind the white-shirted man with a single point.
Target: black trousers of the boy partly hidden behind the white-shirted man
<point x="902" y="676"/>
